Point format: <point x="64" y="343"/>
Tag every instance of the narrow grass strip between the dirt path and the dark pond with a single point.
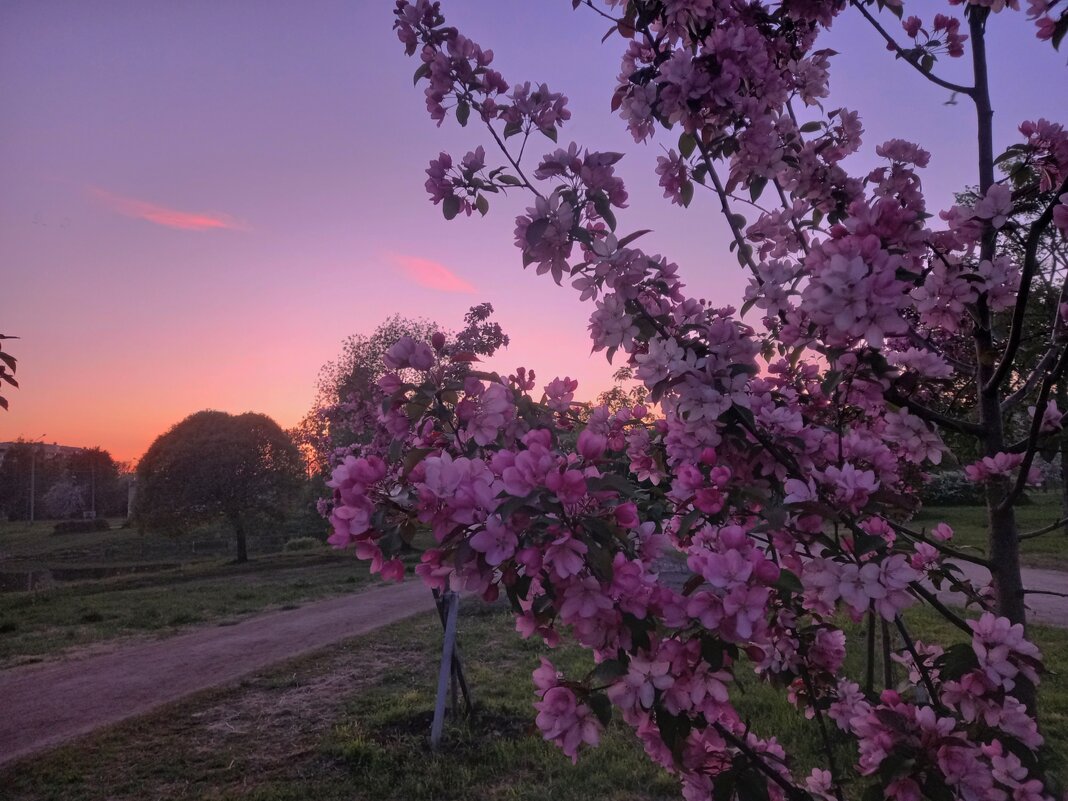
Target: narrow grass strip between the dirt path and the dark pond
<point x="45" y="622"/>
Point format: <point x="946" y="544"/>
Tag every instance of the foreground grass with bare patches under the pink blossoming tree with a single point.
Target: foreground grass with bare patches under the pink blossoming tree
<point x="352" y="724"/>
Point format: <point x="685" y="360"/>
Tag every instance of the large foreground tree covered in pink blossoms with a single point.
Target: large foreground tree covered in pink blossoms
<point x="783" y="460"/>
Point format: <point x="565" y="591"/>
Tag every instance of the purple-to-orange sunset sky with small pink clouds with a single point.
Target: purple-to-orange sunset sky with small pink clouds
<point x="201" y="200"/>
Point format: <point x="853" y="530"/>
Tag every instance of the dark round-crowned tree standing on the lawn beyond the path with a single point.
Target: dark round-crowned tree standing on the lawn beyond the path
<point x="214" y="465"/>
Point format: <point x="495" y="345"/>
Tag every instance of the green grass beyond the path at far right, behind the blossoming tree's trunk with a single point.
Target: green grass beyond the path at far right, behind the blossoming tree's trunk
<point x="970" y="529"/>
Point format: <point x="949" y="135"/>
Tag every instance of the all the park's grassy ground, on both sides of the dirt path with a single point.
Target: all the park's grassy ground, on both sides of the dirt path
<point x="352" y="721"/>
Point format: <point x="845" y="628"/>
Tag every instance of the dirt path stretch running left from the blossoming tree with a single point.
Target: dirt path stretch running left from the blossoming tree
<point x="44" y="705"/>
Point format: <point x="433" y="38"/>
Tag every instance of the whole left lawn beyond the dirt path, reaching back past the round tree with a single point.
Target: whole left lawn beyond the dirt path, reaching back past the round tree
<point x="92" y="588"/>
